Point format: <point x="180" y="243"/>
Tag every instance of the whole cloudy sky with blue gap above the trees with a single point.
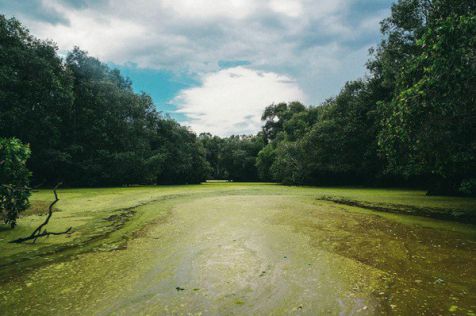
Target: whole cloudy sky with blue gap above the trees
<point x="215" y="64"/>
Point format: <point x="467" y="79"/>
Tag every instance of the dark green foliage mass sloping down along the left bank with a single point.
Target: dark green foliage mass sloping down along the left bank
<point x="86" y="125"/>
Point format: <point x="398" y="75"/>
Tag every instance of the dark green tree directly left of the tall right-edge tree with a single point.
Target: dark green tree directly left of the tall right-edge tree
<point x="341" y="146"/>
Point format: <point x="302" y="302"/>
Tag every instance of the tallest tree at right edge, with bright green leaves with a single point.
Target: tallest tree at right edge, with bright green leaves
<point x="429" y="127"/>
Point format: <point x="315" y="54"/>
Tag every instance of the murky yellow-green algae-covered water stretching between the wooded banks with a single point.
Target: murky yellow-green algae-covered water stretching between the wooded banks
<point x="254" y="250"/>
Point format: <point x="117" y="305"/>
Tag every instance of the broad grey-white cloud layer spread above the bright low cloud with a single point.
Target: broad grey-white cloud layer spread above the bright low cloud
<point x="313" y="41"/>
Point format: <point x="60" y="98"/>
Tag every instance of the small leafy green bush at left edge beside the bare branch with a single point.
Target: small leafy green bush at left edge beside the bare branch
<point x="14" y="179"/>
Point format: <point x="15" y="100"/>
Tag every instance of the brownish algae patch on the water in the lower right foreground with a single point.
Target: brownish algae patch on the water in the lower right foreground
<point x="424" y="262"/>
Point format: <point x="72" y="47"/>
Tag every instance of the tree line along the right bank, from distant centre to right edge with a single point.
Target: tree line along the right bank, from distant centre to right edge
<point x="410" y="122"/>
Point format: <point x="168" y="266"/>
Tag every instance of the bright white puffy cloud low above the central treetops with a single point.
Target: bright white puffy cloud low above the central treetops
<point x="231" y="101"/>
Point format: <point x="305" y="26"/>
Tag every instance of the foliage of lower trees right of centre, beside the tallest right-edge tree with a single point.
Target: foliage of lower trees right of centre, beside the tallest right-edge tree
<point x="324" y="144"/>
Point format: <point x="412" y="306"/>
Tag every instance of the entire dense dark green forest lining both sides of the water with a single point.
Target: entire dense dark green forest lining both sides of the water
<point x="410" y="122"/>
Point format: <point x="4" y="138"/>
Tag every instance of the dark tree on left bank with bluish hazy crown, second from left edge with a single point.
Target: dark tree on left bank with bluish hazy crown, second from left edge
<point x="110" y="127"/>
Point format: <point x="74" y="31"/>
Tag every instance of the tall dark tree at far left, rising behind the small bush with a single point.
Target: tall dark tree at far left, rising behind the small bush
<point x="35" y="97"/>
